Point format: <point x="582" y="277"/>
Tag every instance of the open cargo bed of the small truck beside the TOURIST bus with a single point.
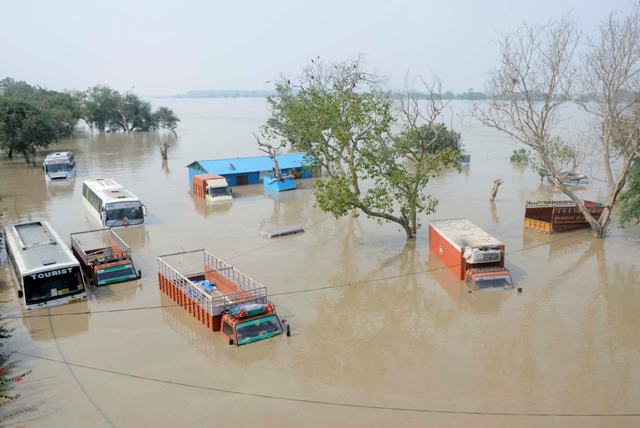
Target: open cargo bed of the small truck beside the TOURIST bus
<point x="113" y="247"/>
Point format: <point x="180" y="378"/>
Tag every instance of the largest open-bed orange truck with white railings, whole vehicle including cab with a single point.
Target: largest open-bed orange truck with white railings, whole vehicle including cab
<point x="219" y="296"/>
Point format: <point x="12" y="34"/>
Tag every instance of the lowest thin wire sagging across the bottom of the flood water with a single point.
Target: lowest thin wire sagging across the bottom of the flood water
<point x="324" y="402"/>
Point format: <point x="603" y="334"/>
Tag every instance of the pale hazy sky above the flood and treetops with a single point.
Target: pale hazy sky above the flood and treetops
<point x="159" y="47"/>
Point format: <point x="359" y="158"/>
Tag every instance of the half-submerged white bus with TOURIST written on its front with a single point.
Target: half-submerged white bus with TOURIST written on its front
<point x="46" y="271"/>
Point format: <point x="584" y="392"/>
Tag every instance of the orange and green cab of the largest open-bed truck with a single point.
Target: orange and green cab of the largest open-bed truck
<point x="251" y="322"/>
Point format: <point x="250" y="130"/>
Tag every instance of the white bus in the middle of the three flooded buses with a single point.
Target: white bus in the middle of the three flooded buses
<point x="111" y="204"/>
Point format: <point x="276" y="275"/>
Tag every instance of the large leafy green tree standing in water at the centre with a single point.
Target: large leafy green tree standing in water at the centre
<point x="340" y="117"/>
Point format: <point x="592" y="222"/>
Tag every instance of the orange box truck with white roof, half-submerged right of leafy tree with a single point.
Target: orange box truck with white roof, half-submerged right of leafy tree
<point x="470" y="253"/>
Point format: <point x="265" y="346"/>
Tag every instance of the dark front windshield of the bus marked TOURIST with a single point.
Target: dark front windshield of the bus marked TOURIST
<point x="43" y="286"/>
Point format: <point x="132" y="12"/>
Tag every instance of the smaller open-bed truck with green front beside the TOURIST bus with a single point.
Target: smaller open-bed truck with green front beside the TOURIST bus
<point x="104" y="257"/>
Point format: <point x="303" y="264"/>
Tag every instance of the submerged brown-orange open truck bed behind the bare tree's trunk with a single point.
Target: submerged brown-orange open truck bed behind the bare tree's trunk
<point x="558" y="216"/>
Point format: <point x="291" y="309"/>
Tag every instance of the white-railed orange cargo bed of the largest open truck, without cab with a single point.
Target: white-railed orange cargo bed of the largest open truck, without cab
<point x="230" y="286"/>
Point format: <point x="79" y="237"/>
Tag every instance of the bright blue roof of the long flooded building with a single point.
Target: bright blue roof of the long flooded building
<point x="248" y="164"/>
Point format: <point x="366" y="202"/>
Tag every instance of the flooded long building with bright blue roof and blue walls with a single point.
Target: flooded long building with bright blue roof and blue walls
<point x="250" y="170"/>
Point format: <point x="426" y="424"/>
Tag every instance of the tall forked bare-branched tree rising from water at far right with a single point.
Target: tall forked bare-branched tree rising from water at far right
<point x="537" y="75"/>
